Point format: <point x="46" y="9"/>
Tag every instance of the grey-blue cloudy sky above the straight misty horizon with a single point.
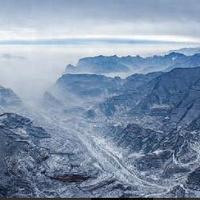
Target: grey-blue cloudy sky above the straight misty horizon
<point x="114" y="21"/>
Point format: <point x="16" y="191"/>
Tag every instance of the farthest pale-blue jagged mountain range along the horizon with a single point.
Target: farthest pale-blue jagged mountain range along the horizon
<point x="109" y="65"/>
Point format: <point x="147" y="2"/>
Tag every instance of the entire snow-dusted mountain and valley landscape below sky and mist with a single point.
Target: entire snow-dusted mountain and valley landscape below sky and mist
<point x="94" y="135"/>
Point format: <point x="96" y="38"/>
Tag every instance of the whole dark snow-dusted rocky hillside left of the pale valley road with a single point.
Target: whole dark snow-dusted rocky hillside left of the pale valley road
<point x="32" y="165"/>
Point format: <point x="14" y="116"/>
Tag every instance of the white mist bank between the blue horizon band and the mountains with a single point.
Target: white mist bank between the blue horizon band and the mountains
<point x="31" y="69"/>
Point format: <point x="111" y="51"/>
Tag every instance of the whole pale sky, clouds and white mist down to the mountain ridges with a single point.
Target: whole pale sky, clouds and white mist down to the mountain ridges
<point x="38" y="38"/>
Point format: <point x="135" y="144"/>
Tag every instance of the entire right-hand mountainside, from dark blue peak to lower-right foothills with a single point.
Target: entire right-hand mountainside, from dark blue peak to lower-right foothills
<point x="157" y="129"/>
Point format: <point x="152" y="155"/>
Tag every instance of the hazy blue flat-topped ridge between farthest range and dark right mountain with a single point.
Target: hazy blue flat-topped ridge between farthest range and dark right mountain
<point x="80" y="89"/>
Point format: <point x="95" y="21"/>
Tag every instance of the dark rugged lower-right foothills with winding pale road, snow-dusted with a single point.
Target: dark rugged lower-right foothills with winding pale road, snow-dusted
<point x="163" y="158"/>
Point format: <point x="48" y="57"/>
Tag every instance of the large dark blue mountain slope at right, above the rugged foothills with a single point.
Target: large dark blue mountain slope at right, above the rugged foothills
<point x="174" y="94"/>
